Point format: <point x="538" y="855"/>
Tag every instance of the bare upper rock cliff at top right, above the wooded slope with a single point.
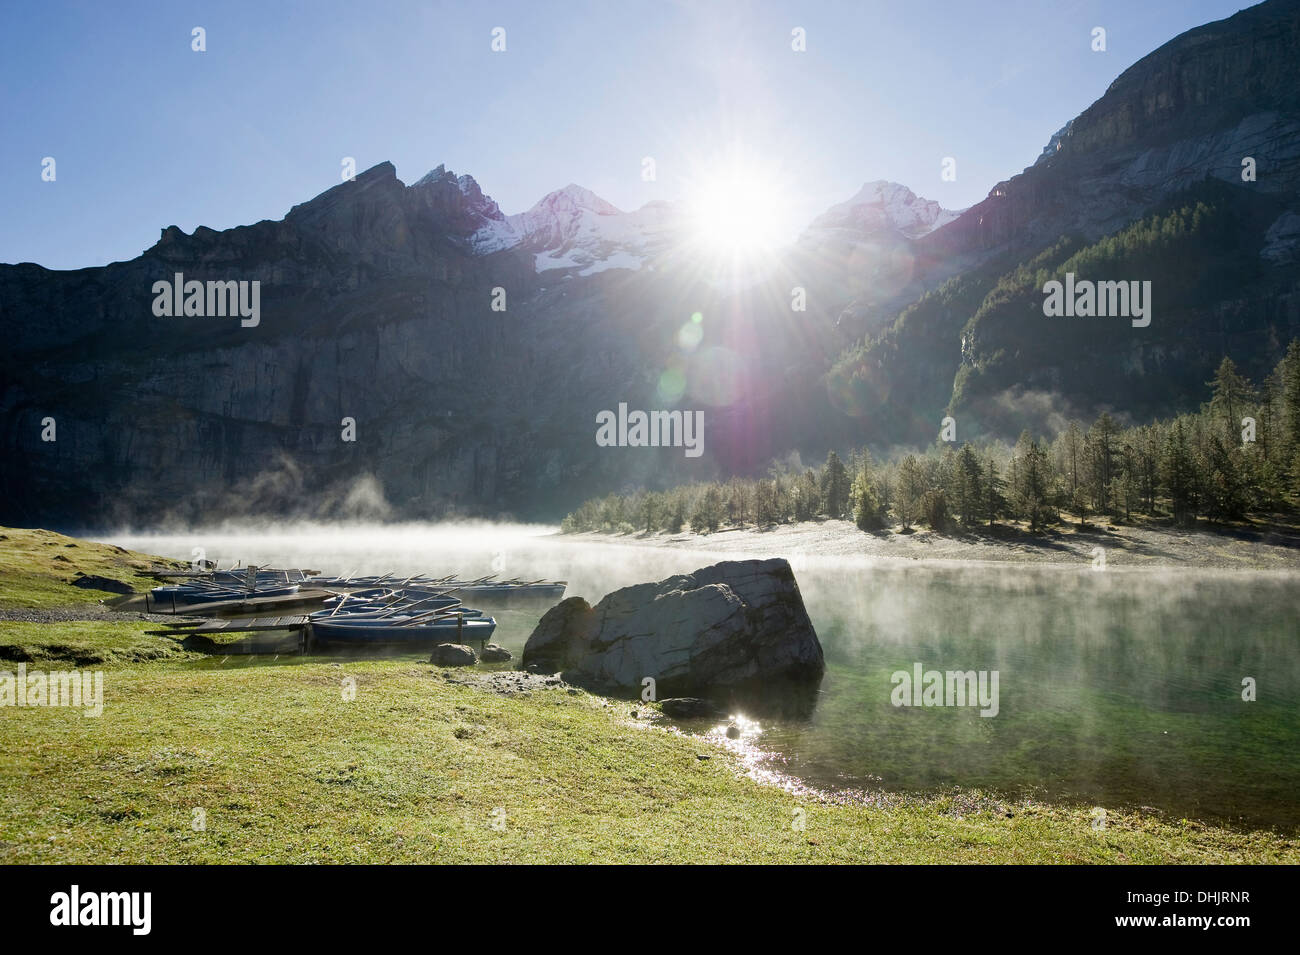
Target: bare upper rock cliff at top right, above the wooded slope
<point x="1193" y="110"/>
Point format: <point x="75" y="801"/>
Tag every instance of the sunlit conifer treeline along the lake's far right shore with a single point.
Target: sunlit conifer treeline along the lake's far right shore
<point x="1236" y="457"/>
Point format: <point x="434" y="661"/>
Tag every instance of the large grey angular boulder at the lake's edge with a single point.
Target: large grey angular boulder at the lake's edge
<point x="734" y="626"/>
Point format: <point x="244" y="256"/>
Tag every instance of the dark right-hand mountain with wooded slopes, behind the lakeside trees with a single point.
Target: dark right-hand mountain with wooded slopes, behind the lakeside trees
<point x="1172" y="131"/>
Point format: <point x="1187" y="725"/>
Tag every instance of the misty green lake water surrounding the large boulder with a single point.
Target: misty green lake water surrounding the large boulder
<point x="1121" y="688"/>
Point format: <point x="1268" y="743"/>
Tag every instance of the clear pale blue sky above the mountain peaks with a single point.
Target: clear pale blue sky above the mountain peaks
<point x="148" y="133"/>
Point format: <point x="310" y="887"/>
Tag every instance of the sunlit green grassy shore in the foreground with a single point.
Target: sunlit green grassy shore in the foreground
<point x="281" y="762"/>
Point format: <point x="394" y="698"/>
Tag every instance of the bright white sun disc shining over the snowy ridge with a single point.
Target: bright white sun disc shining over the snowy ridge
<point x="736" y="211"/>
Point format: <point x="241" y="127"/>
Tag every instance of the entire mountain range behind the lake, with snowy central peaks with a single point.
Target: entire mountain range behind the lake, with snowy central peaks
<point x="378" y="306"/>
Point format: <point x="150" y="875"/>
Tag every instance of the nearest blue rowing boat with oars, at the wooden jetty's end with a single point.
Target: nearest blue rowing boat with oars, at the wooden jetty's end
<point x="401" y="617"/>
